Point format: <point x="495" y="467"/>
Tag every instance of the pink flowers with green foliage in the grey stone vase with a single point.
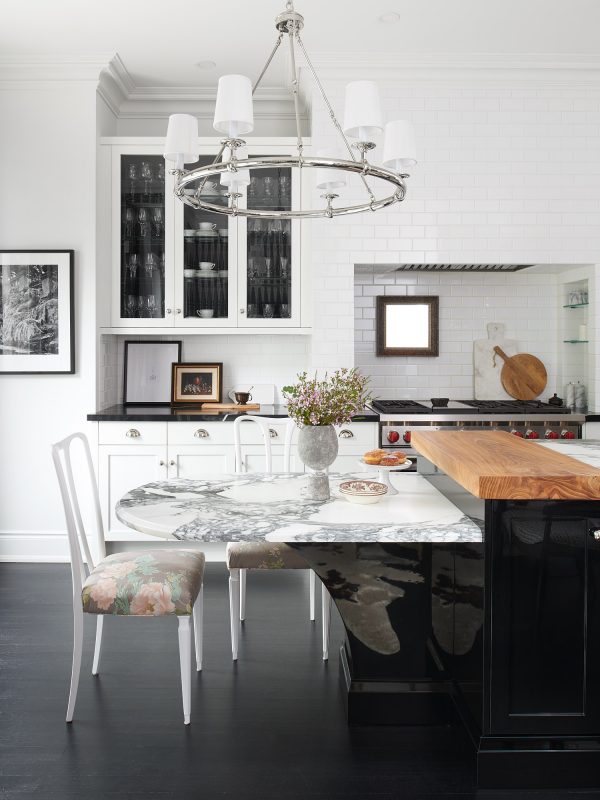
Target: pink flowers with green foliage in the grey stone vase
<point x="331" y="401"/>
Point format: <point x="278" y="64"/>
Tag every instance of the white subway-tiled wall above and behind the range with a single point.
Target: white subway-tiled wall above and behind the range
<point x="509" y="166"/>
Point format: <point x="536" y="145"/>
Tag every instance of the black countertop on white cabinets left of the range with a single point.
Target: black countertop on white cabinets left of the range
<point x="121" y="413"/>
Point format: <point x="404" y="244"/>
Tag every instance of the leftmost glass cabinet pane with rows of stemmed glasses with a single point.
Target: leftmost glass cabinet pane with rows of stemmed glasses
<point x="142" y="237"/>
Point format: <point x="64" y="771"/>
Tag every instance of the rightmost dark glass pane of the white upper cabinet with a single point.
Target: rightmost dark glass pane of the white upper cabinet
<point x="269" y="249"/>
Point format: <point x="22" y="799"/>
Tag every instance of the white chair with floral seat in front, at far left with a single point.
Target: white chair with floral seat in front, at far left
<point x="144" y="583"/>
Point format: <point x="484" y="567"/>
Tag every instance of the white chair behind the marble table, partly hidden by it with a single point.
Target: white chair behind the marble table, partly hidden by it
<point x="242" y="556"/>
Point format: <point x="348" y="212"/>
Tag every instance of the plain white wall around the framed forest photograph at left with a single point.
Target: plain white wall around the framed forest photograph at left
<point x="47" y="201"/>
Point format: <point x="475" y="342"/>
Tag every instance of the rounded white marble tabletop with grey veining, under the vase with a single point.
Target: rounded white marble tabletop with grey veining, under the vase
<point x="260" y="507"/>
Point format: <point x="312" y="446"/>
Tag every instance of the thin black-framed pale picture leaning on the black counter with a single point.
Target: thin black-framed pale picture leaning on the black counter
<point x="148" y="366"/>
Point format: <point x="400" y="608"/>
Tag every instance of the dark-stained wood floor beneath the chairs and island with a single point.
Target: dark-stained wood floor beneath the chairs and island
<point x="271" y="726"/>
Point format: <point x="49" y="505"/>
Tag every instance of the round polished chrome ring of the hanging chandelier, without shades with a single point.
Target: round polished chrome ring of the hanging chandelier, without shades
<point x="188" y="186"/>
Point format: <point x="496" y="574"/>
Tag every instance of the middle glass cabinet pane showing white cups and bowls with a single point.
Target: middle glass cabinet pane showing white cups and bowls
<point x="206" y="259"/>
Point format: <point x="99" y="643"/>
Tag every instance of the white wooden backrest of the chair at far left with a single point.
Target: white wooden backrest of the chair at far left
<point x="79" y="547"/>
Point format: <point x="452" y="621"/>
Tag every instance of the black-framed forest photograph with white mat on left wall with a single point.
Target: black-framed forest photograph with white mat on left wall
<point x="37" y="331"/>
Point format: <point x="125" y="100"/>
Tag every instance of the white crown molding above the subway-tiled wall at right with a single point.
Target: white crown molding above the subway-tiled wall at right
<point x="460" y="68"/>
